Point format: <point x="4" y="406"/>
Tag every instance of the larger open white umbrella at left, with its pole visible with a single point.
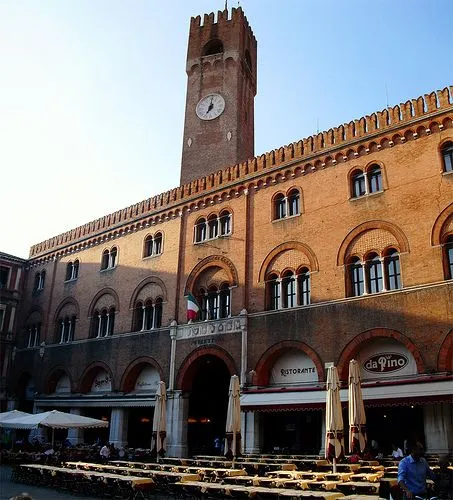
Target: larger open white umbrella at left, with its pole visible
<point x="55" y="420"/>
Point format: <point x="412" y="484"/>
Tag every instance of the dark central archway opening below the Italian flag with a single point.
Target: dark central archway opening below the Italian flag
<point x="207" y="404"/>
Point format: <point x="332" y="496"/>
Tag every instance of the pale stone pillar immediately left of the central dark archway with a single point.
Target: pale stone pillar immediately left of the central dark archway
<point x="177" y="415"/>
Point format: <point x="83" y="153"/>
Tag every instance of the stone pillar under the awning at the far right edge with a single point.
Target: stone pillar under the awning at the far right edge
<point x="438" y="423"/>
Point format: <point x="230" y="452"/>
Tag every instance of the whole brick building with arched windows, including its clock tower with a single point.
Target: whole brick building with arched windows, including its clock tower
<point x="335" y="247"/>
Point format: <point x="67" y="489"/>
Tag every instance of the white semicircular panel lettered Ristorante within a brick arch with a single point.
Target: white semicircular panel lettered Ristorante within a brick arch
<point x="293" y="368"/>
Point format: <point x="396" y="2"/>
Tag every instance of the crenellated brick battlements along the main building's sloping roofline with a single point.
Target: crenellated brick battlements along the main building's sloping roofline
<point x="325" y="149"/>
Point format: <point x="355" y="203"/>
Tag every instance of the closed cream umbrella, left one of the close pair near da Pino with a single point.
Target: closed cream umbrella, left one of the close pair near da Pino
<point x="334" y="418"/>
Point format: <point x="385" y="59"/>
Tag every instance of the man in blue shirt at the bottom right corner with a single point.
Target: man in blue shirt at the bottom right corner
<point x="413" y="471"/>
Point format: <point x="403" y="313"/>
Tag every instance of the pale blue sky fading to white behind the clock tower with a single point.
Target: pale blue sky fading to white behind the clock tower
<point x="92" y="92"/>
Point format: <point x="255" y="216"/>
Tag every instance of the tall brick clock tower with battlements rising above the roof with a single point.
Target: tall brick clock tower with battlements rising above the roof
<point x="221" y="88"/>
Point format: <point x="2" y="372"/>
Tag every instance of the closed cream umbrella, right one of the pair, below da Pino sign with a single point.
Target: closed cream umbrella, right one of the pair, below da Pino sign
<point x="357" y="418"/>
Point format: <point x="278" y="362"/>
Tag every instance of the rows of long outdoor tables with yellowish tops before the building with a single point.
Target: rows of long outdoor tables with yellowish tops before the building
<point x="246" y="476"/>
